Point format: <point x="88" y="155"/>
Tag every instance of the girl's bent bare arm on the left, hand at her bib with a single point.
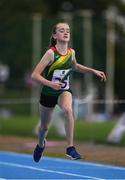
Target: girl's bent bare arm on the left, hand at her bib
<point x="38" y="70"/>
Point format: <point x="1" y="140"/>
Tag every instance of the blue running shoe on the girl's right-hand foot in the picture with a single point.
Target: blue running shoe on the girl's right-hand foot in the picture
<point x="72" y="153"/>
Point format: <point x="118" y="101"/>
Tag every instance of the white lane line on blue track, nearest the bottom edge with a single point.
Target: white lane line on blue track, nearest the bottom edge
<point x="46" y="170"/>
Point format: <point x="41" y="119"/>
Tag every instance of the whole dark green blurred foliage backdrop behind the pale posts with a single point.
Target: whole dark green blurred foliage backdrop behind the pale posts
<point x="16" y="42"/>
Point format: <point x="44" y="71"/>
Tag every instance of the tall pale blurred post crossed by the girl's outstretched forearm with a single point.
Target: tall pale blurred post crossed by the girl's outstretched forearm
<point x="88" y="55"/>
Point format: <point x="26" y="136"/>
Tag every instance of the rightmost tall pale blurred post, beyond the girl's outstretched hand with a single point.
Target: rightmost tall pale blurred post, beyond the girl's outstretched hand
<point x="110" y="60"/>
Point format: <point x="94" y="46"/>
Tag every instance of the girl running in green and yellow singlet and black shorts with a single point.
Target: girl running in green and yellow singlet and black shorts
<point x="54" y="64"/>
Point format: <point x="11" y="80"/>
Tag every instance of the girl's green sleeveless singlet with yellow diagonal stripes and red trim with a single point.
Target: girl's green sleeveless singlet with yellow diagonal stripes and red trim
<point x="53" y="72"/>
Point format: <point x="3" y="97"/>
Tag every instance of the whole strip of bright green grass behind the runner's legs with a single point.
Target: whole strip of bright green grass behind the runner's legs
<point x="85" y="131"/>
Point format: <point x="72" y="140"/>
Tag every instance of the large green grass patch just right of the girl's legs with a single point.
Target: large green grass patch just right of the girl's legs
<point x="93" y="131"/>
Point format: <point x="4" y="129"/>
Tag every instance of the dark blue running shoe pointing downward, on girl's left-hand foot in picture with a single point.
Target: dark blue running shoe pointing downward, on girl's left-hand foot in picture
<point x="38" y="152"/>
